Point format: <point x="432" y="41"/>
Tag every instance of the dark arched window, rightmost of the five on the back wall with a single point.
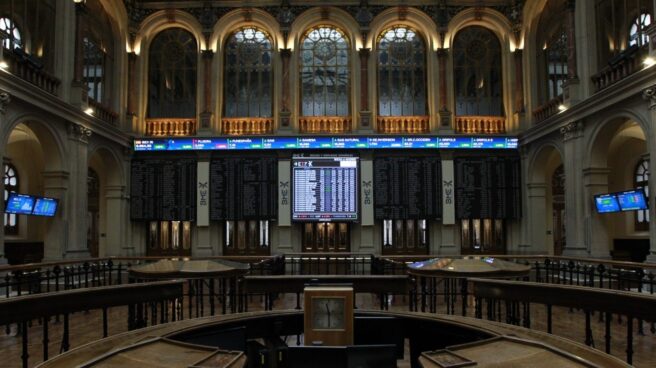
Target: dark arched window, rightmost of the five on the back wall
<point x="477" y="72"/>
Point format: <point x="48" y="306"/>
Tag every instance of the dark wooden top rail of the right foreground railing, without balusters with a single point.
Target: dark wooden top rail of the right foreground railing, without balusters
<point x="640" y="306"/>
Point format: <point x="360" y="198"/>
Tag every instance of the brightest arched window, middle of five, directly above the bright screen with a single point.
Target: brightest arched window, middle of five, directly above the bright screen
<point x="324" y="72"/>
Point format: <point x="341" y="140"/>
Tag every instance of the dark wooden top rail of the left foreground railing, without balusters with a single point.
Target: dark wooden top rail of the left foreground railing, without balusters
<point x="34" y="306"/>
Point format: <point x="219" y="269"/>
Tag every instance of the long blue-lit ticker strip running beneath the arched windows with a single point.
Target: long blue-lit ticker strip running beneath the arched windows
<point x="323" y="142"/>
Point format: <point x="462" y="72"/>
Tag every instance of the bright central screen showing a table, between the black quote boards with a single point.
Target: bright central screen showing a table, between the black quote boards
<point x="325" y="188"/>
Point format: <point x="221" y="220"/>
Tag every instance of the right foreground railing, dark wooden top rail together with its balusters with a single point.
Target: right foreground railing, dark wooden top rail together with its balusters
<point x="490" y="293"/>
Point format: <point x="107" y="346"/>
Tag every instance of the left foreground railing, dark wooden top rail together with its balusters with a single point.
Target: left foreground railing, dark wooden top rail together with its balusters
<point x="140" y="298"/>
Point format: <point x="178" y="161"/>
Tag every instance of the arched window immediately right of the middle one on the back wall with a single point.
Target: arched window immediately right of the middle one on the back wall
<point x="401" y="73"/>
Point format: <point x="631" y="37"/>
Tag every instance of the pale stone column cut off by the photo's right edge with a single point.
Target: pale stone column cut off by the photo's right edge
<point x="649" y="94"/>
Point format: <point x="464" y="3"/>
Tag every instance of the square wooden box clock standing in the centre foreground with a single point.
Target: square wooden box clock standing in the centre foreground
<point x="328" y="315"/>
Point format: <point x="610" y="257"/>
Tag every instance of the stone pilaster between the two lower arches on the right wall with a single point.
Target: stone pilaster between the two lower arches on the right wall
<point x="575" y="221"/>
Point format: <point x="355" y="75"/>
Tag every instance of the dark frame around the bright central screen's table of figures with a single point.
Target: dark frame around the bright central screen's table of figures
<point x="301" y="216"/>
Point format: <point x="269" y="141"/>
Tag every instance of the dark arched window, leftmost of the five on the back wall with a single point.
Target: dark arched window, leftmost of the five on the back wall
<point x="172" y="75"/>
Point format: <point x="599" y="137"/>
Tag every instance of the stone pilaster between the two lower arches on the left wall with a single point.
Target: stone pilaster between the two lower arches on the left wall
<point x="76" y="201"/>
